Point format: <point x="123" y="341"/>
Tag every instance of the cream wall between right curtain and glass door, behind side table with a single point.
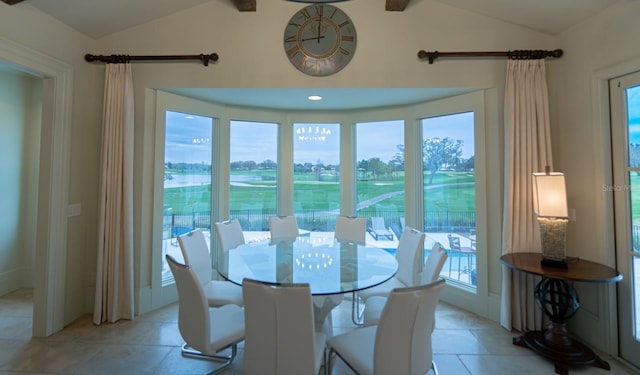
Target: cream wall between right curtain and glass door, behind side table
<point x="595" y="50"/>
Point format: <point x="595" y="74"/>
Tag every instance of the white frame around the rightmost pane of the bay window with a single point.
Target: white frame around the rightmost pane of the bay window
<point x="488" y="188"/>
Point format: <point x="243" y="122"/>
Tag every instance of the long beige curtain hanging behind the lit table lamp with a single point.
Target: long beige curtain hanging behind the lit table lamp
<point x="527" y="150"/>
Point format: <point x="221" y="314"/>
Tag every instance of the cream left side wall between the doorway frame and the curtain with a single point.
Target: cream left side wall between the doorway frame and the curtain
<point x="25" y="26"/>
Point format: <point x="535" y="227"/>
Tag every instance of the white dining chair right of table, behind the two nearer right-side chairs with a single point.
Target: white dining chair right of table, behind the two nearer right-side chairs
<point x="408" y="254"/>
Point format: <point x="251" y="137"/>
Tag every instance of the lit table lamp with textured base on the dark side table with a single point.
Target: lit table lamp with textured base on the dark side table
<point x="550" y="206"/>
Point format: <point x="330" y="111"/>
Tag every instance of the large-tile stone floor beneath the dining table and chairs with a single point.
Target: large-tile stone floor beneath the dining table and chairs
<point x="463" y="344"/>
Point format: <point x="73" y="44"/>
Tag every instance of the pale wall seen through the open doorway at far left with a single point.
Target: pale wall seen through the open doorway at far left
<point x="19" y="153"/>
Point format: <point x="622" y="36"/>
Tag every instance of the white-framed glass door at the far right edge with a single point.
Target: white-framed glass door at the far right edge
<point x="625" y="145"/>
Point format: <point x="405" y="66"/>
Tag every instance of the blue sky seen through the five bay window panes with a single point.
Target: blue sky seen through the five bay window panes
<point x="188" y="139"/>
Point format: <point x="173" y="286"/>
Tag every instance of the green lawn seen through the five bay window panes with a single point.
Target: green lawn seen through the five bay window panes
<point x="444" y="194"/>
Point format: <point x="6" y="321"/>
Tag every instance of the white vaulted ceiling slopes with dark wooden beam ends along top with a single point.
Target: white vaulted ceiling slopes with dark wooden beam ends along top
<point x="97" y="18"/>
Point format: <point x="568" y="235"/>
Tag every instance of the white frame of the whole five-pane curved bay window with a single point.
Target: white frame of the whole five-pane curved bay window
<point x="488" y="146"/>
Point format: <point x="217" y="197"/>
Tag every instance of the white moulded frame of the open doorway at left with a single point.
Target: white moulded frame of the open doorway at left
<point x="53" y="185"/>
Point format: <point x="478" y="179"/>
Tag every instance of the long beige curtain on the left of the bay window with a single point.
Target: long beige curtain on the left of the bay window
<point x="114" y="276"/>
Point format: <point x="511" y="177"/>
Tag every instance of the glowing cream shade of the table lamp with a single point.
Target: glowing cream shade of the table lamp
<point x="549" y="195"/>
